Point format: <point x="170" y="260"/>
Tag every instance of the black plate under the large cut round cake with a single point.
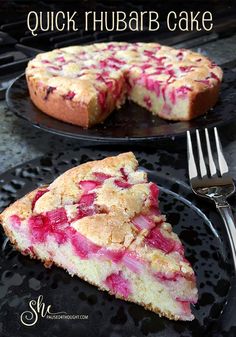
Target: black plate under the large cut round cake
<point x="130" y="123"/>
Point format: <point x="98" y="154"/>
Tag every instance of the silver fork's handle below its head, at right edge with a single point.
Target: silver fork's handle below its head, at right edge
<point x="226" y="213"/>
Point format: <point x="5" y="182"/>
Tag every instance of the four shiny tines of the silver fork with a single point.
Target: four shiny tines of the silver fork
<point x="193" y="172"/>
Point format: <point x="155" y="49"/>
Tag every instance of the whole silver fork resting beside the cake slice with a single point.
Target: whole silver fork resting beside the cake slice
<point x="216" y="186"/>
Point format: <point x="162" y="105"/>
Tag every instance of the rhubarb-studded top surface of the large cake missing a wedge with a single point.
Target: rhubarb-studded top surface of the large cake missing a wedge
<point x="85" y="70"/>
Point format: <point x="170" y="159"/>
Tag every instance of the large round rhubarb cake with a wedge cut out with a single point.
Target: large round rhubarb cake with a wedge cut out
<point x="82" y="85"/>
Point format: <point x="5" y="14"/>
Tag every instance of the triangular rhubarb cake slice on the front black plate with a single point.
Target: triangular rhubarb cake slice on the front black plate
<point x="101" y="222"/>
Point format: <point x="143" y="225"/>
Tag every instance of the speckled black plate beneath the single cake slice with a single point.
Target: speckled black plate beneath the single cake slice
<point x="23" y="279"/>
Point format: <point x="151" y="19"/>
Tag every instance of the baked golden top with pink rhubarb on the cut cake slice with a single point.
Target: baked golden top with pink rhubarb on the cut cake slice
<point x="111" y="209"/>
